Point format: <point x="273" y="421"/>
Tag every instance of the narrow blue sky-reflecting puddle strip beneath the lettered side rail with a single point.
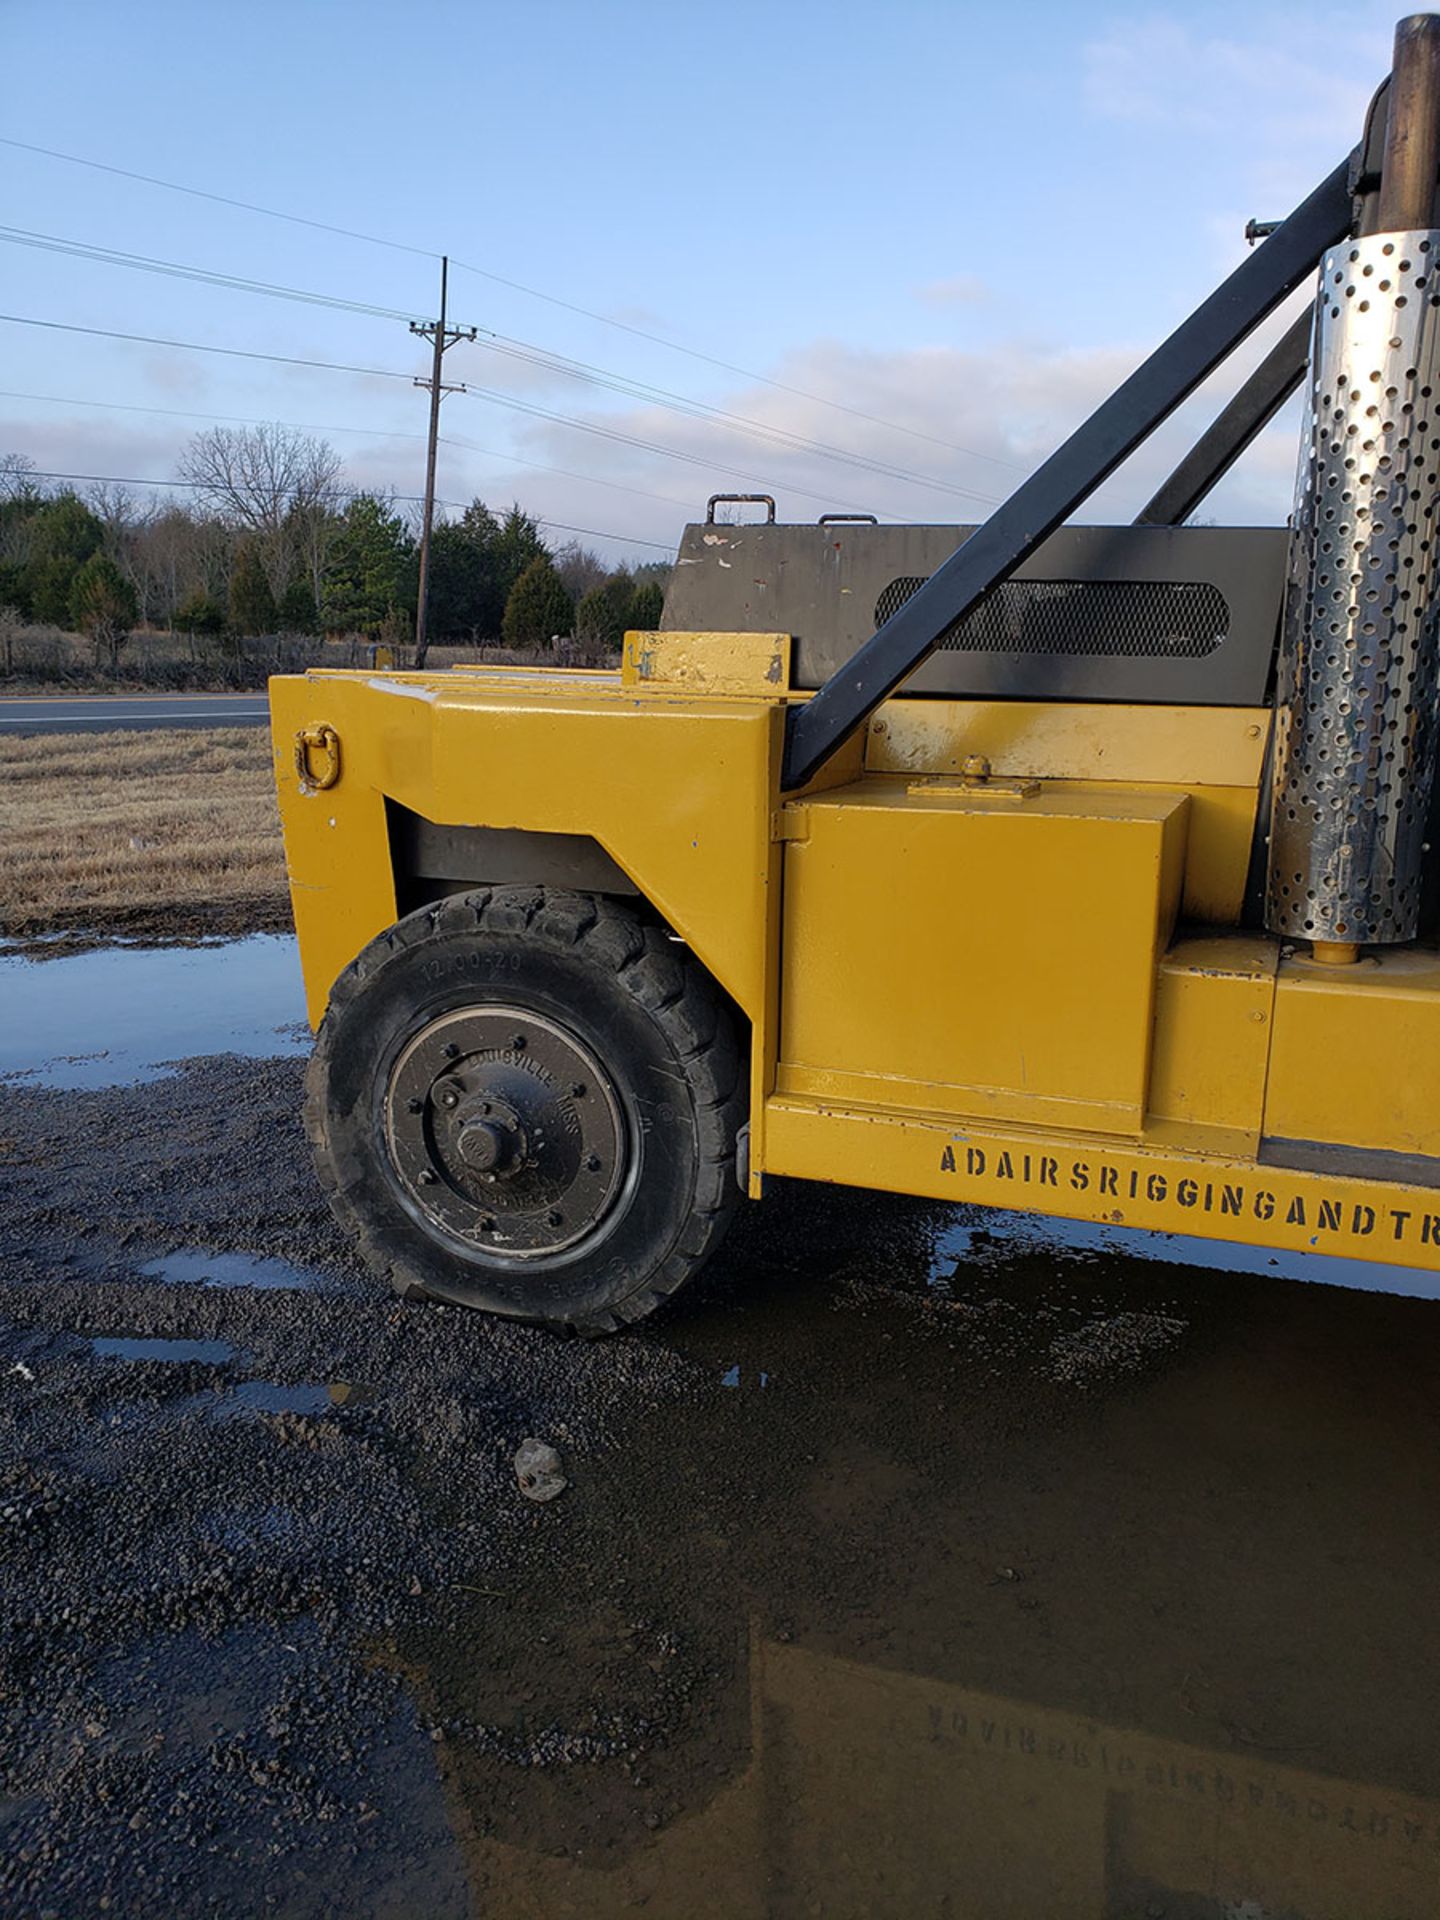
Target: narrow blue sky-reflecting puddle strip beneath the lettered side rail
<point x="1076" y="1239"/>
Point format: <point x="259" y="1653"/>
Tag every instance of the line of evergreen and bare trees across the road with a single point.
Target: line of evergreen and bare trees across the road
<point x="274" y="540"/>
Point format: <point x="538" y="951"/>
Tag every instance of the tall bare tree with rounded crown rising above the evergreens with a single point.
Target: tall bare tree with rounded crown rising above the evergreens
<point x="277" y="485"/>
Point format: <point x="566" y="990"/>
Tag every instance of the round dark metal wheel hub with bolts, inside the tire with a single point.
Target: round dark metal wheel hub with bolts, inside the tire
<point x="504" y="1132"/>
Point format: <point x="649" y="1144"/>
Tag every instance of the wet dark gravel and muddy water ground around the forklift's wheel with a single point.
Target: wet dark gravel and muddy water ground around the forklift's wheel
<point x="913" y="1564"/>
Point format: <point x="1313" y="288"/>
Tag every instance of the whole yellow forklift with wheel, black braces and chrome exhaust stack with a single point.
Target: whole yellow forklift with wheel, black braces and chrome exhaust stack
<point x="1070" y="869"/>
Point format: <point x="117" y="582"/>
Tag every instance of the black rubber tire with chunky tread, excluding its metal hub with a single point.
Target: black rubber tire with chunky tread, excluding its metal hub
<point x="648" y="1013"/>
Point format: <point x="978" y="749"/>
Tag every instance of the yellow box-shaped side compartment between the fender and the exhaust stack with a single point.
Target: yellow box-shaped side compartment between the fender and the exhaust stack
<point x="923" y="965"/>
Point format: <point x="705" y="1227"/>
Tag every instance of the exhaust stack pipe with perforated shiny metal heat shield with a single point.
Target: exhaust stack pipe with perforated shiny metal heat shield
<point x="1358" y="709"/>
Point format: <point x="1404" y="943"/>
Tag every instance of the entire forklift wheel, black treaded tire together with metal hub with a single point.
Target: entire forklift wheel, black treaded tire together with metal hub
<point x="527" y="1101"/>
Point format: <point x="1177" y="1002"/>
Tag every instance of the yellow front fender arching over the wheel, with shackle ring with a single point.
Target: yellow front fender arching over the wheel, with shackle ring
<point x="675" y="790"/>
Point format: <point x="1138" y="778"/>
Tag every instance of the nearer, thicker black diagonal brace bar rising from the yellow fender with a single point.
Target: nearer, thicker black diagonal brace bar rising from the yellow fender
<point x="1051" y="494"/>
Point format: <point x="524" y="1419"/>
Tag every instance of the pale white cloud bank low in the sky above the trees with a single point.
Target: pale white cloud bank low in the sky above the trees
<point x="971" y="423"/>
